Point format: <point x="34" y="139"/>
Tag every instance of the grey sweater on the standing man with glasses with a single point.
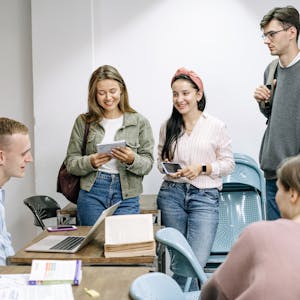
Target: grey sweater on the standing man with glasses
<point x="282" y="136"/>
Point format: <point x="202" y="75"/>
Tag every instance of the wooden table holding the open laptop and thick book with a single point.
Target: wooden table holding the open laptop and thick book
<point x="91" y="254"/>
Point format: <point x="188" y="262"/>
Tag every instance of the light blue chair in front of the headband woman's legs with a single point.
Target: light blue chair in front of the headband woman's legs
<point x="183" y="260"/>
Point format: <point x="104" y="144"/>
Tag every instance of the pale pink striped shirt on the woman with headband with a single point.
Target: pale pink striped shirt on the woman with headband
<point x="208" y="143"/>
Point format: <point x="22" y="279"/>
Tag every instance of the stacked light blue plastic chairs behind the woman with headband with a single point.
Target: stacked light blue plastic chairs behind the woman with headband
<point x="242" y="202"/>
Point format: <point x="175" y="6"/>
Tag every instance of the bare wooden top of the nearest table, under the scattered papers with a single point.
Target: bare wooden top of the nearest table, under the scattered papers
<point x="112" y="283"/>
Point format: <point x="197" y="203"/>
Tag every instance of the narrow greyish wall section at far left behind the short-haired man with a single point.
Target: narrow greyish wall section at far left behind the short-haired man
<point x="16" y="102"/>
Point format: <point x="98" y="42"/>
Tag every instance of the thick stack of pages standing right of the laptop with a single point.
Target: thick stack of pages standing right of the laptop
<point x="129" y="235"/>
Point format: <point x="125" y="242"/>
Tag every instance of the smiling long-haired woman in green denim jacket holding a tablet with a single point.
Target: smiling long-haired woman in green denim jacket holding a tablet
<point x="107" y="178"/>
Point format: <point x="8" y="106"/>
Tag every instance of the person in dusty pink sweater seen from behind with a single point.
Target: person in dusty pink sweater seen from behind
<point x="264" y="262"/>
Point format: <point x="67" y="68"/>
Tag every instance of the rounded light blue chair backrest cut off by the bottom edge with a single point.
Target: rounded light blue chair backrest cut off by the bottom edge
<point x="155" y="286"/>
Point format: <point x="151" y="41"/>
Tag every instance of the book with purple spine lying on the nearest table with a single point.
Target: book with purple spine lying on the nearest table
<point x="55" y="272"/>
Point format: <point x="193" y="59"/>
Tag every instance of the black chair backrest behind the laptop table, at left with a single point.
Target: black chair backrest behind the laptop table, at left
<point x="42" y="207"/>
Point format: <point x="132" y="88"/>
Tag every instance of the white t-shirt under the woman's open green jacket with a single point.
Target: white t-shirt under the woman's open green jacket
<point x="111" y="126"/>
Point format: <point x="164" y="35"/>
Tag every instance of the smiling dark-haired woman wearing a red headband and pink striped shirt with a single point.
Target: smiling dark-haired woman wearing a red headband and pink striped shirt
<point x="189" y="198"/>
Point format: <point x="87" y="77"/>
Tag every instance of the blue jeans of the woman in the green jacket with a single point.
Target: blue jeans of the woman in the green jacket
<point x="105" y="192"/>
